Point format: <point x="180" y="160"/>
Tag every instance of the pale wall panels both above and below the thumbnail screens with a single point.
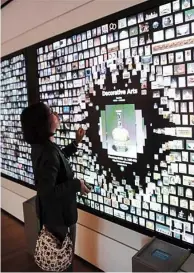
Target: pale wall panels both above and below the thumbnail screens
<point x="24" y="22"/>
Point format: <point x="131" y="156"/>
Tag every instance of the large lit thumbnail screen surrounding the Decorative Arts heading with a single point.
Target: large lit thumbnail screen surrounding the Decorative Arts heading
<point x="129" y="83"/>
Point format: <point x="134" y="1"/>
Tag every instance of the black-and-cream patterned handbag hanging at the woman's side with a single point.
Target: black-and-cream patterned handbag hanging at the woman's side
<point x="52" y="255"/>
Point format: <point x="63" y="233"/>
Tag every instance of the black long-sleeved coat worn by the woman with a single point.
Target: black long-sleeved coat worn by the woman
<point x="56" y="187"/>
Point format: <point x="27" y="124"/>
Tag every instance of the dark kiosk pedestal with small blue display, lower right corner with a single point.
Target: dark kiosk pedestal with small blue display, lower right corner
<point x="159" y="256"/>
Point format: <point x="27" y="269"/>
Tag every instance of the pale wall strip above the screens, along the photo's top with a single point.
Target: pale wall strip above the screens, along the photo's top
<point x="25" y="22"/>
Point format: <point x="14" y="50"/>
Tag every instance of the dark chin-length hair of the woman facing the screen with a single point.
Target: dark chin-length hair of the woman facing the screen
<point x="36" y="124"/>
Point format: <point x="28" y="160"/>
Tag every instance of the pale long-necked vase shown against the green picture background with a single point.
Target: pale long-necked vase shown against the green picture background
<point x="120" y="135"/>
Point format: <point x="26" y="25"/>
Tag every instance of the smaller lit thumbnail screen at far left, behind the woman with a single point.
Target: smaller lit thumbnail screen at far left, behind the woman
<point x="15" y="153"/>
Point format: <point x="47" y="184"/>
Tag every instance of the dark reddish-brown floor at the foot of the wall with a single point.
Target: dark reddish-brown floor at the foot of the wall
<point x="14" y="257"/>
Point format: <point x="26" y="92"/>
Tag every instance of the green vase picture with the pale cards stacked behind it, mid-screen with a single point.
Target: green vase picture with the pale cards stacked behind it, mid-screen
<point x="118" y="130"/>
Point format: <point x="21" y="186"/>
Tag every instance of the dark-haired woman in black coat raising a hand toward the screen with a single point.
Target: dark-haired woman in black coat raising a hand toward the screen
<point x="56" y="186"/>
